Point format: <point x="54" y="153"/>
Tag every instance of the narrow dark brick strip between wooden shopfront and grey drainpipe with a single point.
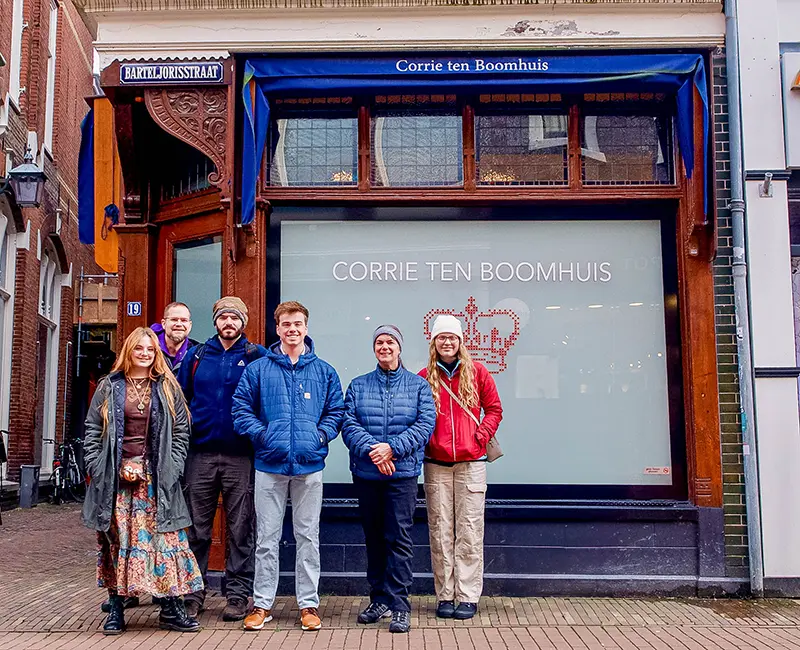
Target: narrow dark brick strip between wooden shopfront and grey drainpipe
<point x="736" y="553"/>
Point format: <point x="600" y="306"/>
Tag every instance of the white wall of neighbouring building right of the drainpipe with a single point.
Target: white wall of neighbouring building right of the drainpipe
<point x="761" y="26"/>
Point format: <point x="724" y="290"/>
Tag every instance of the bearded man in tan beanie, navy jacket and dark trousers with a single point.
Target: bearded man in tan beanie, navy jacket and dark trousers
<point x="219" y="460"/>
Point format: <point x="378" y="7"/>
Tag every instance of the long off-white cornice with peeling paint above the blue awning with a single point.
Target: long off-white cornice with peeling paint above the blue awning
<point x="216" y="34"/>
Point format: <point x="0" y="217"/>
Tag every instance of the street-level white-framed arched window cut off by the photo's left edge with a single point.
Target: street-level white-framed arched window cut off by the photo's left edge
<point x="7" y="273"/>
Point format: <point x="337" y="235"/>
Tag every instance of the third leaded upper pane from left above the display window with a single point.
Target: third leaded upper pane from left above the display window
<point x="521" y="149"/>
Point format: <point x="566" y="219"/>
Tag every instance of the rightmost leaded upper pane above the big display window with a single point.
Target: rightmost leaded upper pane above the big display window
<point x="627" y="149"/>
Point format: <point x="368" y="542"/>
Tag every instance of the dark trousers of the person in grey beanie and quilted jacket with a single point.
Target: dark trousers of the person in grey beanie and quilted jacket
<point x="387" y="515"/>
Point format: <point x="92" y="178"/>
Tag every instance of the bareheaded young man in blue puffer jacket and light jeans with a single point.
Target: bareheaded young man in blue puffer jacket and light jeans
<point x="290" y="405"/>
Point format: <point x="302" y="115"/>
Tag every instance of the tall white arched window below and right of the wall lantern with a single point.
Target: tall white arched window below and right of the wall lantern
<point x="47" y="355"/>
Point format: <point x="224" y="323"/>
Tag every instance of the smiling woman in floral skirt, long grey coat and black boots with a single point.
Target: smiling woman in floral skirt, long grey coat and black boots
<point x="137" y="437"/>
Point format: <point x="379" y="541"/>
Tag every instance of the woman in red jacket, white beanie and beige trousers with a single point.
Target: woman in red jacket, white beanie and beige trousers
<point x="455" y="467"/>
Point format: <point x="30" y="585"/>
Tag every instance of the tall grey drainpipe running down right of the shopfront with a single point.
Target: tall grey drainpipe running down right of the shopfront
<point x="742" y="304"/>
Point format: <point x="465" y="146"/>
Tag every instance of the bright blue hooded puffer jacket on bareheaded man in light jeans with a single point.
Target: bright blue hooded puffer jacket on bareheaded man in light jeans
<point x="289" y="412"/>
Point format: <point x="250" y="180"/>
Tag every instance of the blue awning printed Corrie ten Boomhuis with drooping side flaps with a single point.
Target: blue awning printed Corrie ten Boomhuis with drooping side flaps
<point x="268" y="76"/>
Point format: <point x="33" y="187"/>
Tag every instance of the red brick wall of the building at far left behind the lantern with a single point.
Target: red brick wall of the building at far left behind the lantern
<point x="54" y="223"/>
